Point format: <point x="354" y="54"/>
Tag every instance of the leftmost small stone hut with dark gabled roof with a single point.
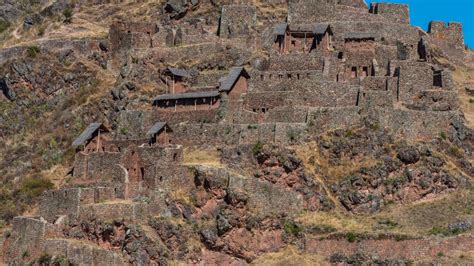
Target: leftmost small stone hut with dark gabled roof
<point x="92" y="139"/>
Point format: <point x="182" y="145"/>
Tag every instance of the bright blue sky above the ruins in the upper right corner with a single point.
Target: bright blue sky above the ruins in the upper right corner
<point x="424" y="11"/>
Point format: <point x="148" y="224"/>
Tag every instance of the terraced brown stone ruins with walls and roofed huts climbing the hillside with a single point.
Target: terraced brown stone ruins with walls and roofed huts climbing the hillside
<point x="333" y="64"/>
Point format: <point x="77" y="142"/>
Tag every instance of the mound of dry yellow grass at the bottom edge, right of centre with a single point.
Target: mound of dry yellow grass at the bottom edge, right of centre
<point x="290" y="256"/>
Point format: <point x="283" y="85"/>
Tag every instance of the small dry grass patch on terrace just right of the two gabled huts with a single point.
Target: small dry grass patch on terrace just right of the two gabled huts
<point x="202" y="156"/>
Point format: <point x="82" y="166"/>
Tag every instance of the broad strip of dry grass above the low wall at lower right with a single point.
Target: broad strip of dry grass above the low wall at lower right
<point x="415" y="219"/>
